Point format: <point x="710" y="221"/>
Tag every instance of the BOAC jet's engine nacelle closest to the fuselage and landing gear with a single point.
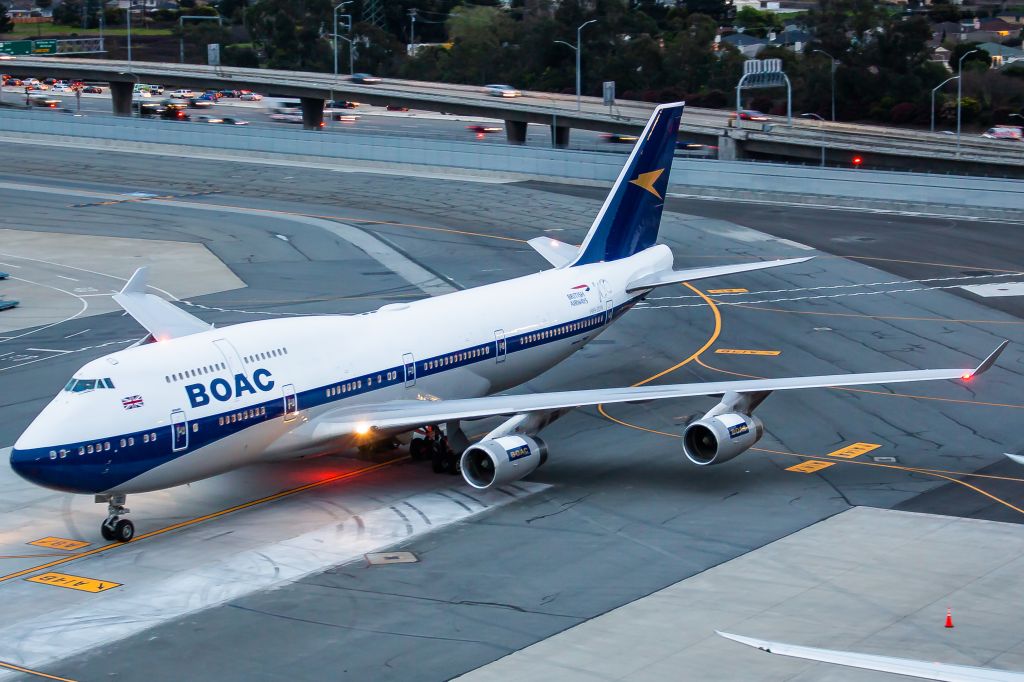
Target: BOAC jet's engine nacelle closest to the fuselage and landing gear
<point x="500" y="461"/>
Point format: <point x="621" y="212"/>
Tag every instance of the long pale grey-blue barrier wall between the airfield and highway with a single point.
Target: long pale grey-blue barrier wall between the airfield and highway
<point x="525" y="162"/>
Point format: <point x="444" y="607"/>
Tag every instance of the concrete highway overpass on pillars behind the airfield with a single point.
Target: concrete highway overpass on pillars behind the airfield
<point x="807" y="141"/>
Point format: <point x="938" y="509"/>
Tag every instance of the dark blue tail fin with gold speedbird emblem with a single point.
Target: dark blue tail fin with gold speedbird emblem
<point x="629" y="221"/>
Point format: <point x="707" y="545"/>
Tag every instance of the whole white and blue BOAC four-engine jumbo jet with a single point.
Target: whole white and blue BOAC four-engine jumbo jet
<point x="189" y="401"/>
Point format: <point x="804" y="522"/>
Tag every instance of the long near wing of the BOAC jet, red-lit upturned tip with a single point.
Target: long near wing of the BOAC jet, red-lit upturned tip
<point x="397" y="415"/>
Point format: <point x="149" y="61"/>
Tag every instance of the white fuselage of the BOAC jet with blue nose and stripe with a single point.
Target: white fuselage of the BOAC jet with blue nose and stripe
<point x="174" y="412"/>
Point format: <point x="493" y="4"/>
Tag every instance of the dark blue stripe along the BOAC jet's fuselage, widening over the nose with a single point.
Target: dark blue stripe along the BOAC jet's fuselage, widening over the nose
<point x="104" y="470"/>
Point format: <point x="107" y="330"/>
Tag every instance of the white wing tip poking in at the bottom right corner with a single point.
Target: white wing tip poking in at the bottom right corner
<point x="922" y="669"/>
